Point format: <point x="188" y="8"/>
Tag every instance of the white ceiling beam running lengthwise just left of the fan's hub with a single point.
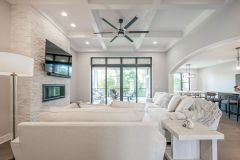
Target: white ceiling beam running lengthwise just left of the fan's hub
<point x="94" y="25"/>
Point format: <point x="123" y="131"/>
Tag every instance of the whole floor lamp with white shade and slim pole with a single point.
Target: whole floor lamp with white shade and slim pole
<point x="15" y="65"/>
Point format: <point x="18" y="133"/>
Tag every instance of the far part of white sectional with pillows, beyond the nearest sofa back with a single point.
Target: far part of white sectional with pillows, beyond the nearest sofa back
<point x="162" y="106"/>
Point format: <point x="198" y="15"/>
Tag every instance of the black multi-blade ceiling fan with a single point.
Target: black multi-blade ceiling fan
<point x="121" y="31"/>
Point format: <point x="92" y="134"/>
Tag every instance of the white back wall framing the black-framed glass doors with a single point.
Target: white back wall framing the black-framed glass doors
<point x="159" y="71"/>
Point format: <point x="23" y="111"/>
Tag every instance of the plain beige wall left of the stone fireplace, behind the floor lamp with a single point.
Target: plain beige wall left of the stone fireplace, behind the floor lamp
<point x="4" y="81"/>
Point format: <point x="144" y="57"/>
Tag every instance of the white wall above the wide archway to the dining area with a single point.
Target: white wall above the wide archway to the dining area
<point x="220" y="28"/>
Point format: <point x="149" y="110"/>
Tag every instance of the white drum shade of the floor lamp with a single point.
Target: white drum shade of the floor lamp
<point x="16" y="63"/>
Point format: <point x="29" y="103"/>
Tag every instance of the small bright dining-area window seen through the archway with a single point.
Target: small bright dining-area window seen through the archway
<point x="181" y="82"/>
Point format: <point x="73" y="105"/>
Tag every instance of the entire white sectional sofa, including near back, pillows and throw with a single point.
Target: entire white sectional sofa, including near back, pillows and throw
<point x="126" y="123"/>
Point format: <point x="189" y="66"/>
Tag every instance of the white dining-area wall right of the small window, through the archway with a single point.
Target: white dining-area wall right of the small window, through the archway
<point x="219" y="78"/>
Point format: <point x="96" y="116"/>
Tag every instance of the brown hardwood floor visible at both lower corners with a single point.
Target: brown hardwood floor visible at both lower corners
<point x="228" y="149"/>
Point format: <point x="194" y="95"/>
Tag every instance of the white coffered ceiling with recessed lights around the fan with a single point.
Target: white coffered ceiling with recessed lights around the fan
<point x="167" y="20"/>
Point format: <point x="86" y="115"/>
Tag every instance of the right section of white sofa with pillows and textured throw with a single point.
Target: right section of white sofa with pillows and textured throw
<point x="161" y="112"/>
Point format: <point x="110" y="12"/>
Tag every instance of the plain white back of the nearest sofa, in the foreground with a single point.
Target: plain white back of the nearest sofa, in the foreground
<point x="88" y="141"/>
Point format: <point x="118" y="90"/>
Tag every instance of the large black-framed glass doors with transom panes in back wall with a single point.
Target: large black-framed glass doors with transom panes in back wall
<point x="122" y="78"/>
